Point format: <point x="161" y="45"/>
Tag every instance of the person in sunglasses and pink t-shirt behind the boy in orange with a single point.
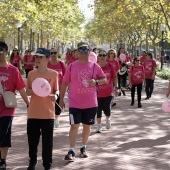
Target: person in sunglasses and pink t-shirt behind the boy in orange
<point x="60" y="67"/>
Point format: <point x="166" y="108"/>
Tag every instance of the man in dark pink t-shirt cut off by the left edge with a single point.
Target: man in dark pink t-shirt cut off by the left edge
<point x="10" y="80"/>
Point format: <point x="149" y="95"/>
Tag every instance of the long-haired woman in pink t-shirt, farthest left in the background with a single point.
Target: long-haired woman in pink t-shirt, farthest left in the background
<point x="15" y="59"/>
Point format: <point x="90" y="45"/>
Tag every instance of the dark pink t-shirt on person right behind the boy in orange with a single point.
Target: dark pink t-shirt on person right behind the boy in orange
<point x="60" y="68"/>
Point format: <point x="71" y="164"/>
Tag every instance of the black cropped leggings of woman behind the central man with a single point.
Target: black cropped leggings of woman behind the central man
<point x="104" y="104"/>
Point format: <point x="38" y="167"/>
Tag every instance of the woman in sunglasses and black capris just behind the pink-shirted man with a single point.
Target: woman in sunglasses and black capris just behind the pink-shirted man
<point x="105" y="91"/>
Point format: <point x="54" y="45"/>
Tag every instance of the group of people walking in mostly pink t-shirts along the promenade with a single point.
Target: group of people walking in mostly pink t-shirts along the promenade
<point x="90" y="87"/>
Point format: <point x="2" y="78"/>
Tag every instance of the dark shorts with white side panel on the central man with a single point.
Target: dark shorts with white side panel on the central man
<point x="85" y="116"/>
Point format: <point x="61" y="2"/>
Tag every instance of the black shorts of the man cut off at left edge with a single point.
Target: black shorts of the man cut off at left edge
<point x="5" y="131"/>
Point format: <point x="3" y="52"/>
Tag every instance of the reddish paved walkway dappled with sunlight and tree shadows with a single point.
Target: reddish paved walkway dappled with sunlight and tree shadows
<point x="139" y="139"/>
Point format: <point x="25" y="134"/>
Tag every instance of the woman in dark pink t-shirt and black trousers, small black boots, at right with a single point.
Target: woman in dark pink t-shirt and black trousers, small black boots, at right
<point x="136" y="79"/>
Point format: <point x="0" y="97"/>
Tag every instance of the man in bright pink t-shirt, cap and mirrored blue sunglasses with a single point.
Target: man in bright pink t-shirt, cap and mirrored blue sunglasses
<point x="82" y="76"/>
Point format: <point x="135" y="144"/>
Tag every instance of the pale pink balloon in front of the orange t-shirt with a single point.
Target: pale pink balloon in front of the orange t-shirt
<point x="41" y="87"/>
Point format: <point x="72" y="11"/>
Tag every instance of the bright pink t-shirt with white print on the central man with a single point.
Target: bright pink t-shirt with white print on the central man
<point x="81" y="95"/>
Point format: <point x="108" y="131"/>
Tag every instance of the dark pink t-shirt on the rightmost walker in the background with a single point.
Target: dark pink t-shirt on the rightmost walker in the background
<point x="149" y="65"/>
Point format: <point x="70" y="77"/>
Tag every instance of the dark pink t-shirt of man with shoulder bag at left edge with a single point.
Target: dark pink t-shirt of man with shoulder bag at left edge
<point x="11" y="80"/>
